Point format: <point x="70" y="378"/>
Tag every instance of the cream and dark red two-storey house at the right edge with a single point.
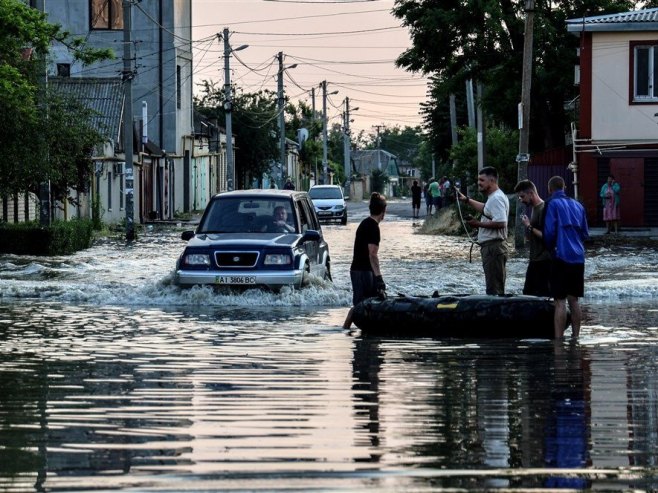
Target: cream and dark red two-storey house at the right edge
<point x="618" y="118"/>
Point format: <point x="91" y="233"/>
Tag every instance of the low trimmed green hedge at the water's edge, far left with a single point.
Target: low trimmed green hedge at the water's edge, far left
<point x="60" y="238"/>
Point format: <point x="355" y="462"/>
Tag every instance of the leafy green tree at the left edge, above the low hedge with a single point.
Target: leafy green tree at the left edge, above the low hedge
<point x="42" y="138"/>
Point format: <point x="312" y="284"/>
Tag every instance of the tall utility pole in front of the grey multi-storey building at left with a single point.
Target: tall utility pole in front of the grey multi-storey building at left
<point x="128" y="121"/>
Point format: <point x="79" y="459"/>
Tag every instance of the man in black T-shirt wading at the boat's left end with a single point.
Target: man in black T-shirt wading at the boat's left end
<point x="365" y="275"/>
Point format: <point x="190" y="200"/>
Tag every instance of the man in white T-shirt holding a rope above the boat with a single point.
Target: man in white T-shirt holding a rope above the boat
<point x="492" y="229"/>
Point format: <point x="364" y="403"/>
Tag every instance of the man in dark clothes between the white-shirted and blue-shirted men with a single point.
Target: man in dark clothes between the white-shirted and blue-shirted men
<point x="539" y="264"/>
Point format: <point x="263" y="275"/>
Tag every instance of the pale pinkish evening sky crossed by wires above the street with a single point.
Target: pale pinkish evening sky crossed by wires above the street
<point x="352" y="45"/>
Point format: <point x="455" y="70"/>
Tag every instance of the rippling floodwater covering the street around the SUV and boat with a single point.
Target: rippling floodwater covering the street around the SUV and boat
<point x="111" y="379"/>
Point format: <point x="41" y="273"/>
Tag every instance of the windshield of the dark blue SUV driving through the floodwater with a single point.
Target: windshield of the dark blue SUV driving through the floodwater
<point x="246" y="215"/>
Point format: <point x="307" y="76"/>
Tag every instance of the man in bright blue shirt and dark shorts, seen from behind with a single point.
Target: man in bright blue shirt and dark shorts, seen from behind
<point x="565" y="232"/>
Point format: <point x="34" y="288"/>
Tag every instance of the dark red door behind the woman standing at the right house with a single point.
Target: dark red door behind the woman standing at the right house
<point x="629" y="172"/>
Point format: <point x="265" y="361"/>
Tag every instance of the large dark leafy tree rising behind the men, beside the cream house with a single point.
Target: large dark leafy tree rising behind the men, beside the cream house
<point x="482" y="40"/>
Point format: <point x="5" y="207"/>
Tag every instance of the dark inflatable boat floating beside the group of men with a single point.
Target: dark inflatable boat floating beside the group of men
<point x="457" y="315"/>
